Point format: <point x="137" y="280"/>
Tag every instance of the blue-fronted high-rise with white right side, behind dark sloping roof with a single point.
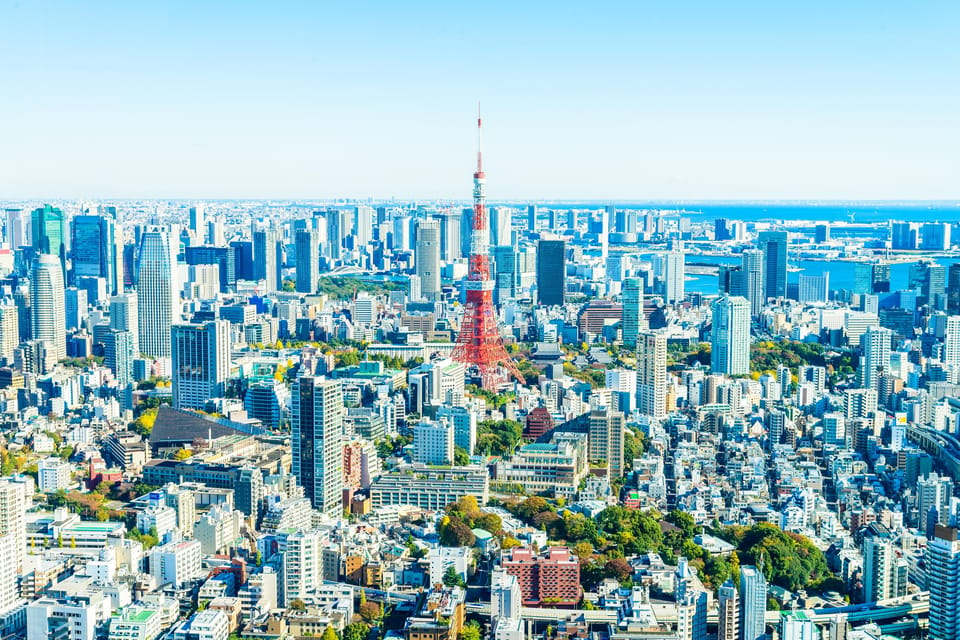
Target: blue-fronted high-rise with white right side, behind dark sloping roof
<point x="201" y="362"/>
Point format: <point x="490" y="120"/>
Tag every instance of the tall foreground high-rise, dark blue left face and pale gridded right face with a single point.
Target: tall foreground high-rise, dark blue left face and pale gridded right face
<point x="317" y="437"/>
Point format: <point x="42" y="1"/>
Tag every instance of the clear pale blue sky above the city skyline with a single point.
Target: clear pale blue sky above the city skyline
<point x="631" y="100"/>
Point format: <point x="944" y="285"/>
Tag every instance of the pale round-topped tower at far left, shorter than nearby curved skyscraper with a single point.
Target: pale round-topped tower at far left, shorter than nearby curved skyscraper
<point x="47" y="304"/>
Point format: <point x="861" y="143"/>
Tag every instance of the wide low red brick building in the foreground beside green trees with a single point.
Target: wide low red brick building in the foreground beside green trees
<point x="551" y="579"/>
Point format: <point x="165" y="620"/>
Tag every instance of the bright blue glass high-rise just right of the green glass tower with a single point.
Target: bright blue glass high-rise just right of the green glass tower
<point x="96" y="249"/>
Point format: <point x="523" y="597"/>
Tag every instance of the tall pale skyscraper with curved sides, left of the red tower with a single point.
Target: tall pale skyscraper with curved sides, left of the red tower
<point x="158" y="301"/>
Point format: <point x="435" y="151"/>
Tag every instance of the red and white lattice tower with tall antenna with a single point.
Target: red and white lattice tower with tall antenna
<point x="479" y="344"/>
